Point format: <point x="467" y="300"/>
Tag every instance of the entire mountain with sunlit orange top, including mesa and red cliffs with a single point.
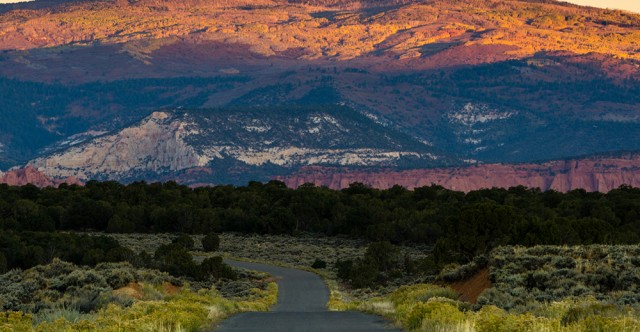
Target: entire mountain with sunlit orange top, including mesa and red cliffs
<point x="232" y="91"/>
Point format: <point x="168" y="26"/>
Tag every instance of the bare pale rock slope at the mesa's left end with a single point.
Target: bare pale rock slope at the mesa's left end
<point x="155" y="145"/>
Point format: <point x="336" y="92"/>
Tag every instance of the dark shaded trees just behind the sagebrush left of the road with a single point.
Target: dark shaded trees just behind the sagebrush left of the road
<point x="24" y="250"/>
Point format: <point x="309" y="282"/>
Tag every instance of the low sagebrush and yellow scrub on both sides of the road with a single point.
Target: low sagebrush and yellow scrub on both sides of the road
<point x="541" y="288"/>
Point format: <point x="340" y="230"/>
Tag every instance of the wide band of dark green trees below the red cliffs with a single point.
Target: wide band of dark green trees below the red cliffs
<point x="460" y="226"/>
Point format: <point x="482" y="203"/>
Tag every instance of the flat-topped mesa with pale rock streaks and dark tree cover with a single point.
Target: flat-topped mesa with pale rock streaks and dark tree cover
<point x="167" y="143"/>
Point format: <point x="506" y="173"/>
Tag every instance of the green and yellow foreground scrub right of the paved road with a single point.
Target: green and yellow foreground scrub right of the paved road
<point x="542" y="288"/>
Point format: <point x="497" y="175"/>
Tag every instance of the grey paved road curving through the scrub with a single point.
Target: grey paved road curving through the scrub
<point x="302" y="299"/>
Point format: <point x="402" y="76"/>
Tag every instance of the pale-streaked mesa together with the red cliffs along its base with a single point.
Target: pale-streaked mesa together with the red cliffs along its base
<point x="326" y="146"/>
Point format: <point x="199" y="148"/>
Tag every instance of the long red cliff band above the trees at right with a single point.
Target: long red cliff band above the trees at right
<point x="593" y="174"/>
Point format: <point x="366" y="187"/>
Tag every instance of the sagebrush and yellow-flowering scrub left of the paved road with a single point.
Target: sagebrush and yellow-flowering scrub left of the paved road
<point x="116" y="296"/>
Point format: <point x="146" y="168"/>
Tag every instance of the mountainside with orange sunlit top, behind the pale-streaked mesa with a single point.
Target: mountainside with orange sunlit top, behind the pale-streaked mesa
<point x="475" y="81"/>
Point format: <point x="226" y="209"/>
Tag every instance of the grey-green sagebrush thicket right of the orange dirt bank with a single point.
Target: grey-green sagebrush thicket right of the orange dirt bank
<point x="552" y="273"/>
